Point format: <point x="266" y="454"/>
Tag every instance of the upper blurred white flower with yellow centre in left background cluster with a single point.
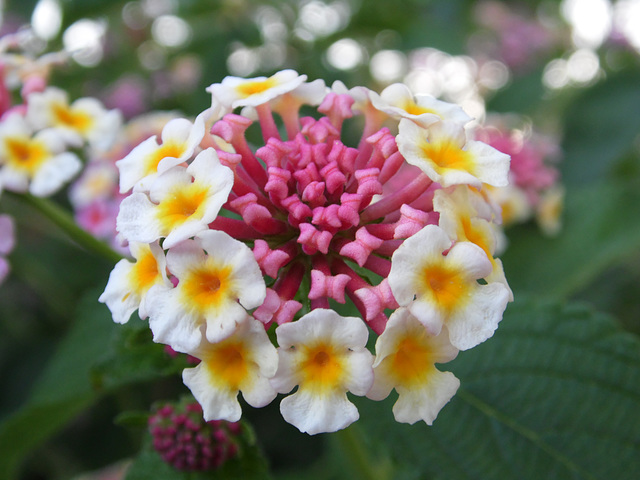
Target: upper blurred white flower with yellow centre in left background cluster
<point x="85" y="118"/>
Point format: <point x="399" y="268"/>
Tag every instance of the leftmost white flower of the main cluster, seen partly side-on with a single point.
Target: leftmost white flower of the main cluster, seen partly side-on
<point x="130" y="281"/>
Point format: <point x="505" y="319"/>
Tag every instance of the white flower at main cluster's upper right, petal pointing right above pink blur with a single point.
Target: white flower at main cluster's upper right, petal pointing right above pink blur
<point x="443" y="152"/>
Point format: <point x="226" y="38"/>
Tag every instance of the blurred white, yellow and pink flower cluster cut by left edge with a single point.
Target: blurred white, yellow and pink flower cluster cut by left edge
<point x="43" y="134"/>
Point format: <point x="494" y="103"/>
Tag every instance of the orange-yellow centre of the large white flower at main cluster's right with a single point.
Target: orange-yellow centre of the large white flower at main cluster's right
<point x="445" y="285"/>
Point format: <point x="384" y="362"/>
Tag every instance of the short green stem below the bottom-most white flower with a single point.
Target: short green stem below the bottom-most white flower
<point x="351" y="443"/>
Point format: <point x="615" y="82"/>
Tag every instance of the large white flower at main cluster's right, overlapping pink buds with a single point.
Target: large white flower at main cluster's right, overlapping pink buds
<point x="442" y="289"/>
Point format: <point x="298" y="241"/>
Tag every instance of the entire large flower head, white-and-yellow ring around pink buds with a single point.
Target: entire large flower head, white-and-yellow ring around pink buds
<point x="251" y="225"/>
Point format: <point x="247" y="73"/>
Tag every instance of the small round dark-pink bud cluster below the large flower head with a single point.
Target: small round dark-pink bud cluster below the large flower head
<point x="188" y="443"/>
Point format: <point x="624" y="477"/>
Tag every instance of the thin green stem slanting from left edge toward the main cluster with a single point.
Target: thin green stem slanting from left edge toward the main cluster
<point x="65" y="222"/>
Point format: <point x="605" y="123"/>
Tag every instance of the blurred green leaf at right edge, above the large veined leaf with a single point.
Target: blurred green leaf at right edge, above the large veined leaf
<point x="600" y="229"/>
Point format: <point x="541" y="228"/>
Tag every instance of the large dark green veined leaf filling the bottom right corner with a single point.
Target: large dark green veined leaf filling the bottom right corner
<point x="555" y="394"/>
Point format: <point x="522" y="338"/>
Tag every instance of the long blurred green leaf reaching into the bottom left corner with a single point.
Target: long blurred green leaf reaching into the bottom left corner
<point x="96" y="356"/>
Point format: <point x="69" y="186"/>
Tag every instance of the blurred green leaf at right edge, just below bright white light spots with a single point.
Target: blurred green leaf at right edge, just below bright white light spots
<point x="601" y="126"/>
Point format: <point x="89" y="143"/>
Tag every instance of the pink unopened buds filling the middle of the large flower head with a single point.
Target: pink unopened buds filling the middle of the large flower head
<point x="306" y="202"/>
